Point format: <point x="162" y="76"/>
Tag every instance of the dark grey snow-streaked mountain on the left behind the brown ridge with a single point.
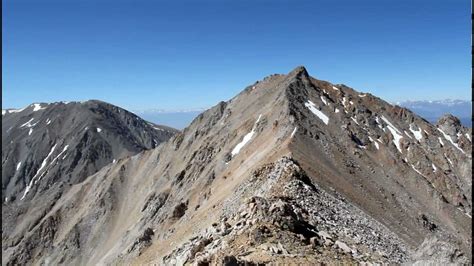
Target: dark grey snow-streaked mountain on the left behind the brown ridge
<point x="47" y="148"/>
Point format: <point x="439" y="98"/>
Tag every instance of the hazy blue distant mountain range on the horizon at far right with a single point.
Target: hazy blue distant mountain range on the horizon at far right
<point x="433" y="110"/>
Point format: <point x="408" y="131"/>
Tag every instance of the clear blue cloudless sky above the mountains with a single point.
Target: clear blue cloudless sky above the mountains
<point x="176" y="54"/>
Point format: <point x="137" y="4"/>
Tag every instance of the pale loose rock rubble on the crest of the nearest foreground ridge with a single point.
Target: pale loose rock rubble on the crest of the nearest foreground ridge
<point x="291" y="220"/>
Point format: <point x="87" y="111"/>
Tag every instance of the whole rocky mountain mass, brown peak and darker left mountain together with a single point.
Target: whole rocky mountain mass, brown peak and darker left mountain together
<point x="293" y="170"/>
